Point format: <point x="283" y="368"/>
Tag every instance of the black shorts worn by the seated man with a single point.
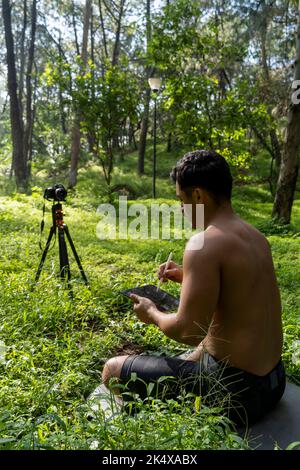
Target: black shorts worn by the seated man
<point x="245" y="397"/>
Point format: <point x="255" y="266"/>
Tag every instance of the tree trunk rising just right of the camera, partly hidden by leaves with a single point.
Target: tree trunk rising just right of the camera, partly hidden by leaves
<point x="75" y="146"/>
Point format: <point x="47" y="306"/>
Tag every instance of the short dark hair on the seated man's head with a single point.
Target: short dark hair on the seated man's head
<point x="205" y="169"/>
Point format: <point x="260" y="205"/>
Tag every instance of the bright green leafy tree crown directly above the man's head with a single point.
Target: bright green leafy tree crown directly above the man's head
<point x="206" y="106"/>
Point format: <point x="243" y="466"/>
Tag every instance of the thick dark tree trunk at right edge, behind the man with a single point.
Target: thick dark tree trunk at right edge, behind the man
<point x="289" y="164"/>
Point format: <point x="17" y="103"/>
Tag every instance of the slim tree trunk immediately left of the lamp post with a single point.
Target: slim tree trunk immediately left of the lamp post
<point x="145" y="119"/>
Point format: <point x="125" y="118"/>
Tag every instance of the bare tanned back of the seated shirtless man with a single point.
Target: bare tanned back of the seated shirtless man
<point x="246" y="327"/>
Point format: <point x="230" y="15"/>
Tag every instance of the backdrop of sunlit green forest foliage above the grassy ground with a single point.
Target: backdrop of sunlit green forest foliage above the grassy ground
<point x="225" y="67"/>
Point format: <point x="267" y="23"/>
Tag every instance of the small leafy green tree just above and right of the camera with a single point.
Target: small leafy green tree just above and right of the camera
<point x="103" y="99"/>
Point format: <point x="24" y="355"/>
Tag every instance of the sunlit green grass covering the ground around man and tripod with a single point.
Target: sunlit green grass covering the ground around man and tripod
<point x="56" y="347"/>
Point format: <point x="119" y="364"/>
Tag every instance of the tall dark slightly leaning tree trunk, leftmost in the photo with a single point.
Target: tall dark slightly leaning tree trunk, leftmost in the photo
<point x="15" y="112"/>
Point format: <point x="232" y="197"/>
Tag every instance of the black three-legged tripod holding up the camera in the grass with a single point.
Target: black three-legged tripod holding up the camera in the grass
<point x="59" y="225"/>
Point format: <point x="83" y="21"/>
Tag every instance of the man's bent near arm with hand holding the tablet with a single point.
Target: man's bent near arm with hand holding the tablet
<point x="198" y="300"/>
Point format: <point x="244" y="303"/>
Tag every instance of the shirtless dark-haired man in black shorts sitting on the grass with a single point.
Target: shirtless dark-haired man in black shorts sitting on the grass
<point x="229" y="304"/>
